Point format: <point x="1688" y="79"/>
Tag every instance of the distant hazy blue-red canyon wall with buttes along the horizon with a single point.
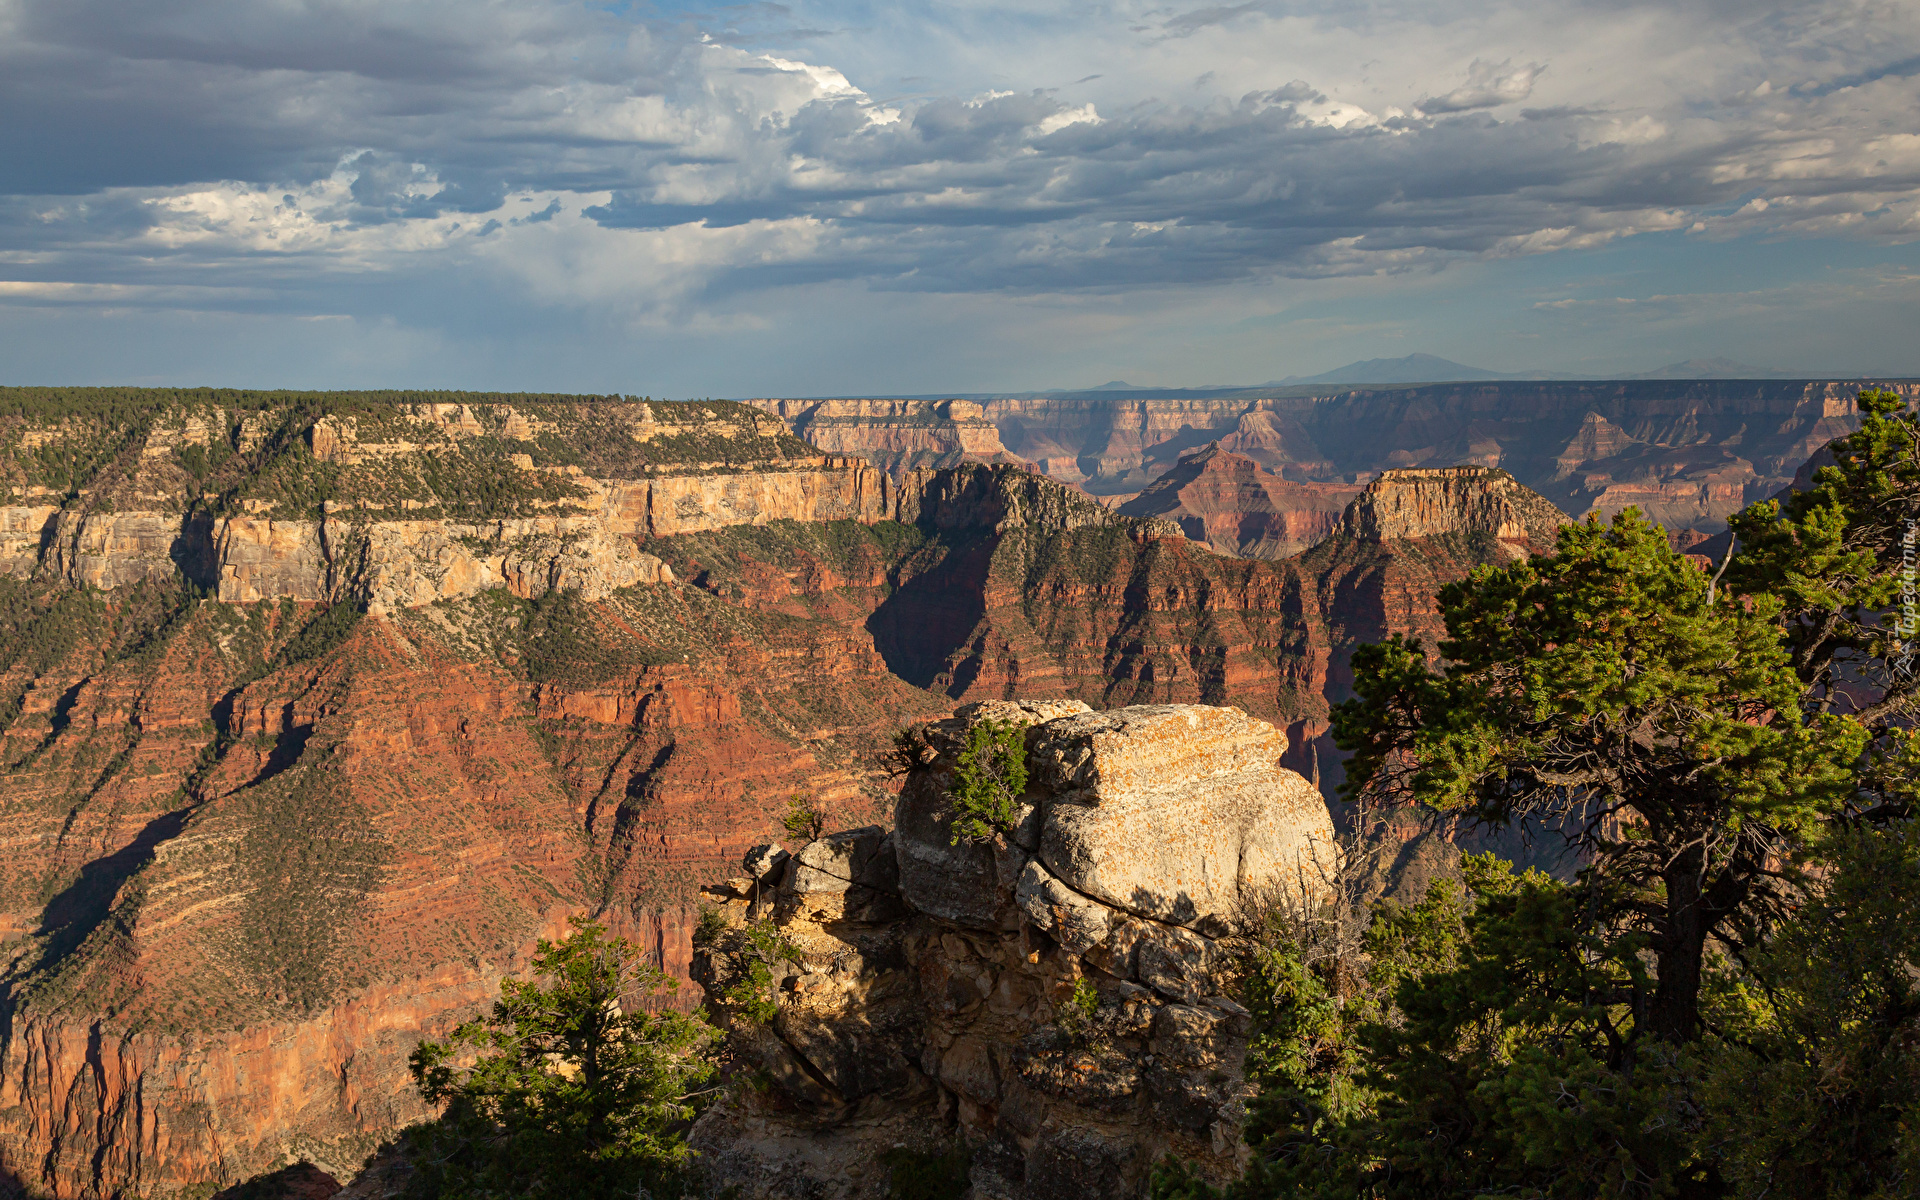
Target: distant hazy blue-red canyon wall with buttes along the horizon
<point x="1687" y="452"/>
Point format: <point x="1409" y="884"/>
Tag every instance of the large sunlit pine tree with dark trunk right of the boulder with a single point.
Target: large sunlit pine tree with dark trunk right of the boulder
<point x="1604" y="692"/>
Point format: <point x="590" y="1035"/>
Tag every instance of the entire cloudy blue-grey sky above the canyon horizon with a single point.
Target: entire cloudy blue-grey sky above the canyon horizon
<point x="836" y="197"/>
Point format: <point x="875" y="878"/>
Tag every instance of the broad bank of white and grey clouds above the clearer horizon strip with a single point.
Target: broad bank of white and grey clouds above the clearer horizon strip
<point x="1059" y="151"/>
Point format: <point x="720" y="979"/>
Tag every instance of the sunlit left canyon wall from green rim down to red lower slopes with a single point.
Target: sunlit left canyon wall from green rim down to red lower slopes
<point x="318" y="709"/>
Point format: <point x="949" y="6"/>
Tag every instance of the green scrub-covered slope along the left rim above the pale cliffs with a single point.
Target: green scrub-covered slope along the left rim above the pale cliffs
<point x="425" y="454"/>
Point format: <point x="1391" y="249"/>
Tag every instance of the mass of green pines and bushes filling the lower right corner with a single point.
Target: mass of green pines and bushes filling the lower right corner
<point x="1725" y="1001"/>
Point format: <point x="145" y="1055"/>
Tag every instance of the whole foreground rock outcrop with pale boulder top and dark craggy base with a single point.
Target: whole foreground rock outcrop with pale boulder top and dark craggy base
<point x="932" y="994"/>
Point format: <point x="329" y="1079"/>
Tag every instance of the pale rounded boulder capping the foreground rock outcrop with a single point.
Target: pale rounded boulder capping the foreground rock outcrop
<point x="1170" y="813"/>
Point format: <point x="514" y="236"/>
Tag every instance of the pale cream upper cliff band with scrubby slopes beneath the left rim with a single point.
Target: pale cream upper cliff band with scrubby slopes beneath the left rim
<point x="420" y="504"/>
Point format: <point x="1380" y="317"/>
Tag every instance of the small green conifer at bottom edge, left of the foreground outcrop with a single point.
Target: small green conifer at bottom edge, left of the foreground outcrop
<point x="567" y="1093"/>
